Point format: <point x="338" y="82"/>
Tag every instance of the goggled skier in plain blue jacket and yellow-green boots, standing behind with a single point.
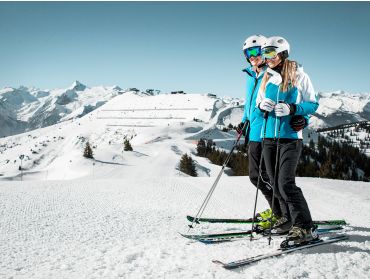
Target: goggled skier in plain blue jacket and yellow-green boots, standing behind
<point x="253" y="122"/>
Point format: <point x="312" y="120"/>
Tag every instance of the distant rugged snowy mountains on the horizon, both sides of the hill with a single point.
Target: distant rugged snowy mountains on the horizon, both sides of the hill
<point x="24" y="109"/>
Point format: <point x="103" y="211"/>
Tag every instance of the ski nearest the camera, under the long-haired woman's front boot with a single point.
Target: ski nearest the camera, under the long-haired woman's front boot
<point x="281" y="251"/>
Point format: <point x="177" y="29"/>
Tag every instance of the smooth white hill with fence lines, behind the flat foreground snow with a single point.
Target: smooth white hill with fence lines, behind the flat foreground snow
<point x="156" y="125"/>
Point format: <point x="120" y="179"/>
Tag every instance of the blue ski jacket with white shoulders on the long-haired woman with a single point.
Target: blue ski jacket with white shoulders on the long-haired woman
<point x="302" y="95"/>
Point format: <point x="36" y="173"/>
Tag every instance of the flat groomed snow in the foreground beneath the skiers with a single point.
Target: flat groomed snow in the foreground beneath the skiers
<point x="129" y="228"/>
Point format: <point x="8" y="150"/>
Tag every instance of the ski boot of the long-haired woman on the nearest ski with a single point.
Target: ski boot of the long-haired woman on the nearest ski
<point x="299" y="236"/>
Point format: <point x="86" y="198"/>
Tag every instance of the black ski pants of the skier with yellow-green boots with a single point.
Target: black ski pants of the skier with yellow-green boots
<point x="254" y="155"/>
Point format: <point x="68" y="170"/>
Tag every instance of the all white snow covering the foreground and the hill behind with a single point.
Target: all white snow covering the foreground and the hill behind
<point x="120" y="214"/>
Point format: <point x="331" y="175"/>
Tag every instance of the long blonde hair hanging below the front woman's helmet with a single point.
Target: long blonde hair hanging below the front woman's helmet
<point x="288" y="74"/>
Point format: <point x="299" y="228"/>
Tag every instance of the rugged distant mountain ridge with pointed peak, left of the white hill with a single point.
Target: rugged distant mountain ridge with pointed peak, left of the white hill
<point x="23" y="109"/>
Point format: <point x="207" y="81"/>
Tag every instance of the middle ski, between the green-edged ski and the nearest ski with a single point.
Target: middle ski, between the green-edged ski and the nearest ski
<point x="232" y="236"/>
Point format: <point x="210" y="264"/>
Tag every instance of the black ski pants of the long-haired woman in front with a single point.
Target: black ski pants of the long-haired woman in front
<point x="286" y="190"/>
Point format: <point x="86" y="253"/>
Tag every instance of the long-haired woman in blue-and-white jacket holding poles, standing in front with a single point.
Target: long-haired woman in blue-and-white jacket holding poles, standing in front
<point x="286" y="93"/>
